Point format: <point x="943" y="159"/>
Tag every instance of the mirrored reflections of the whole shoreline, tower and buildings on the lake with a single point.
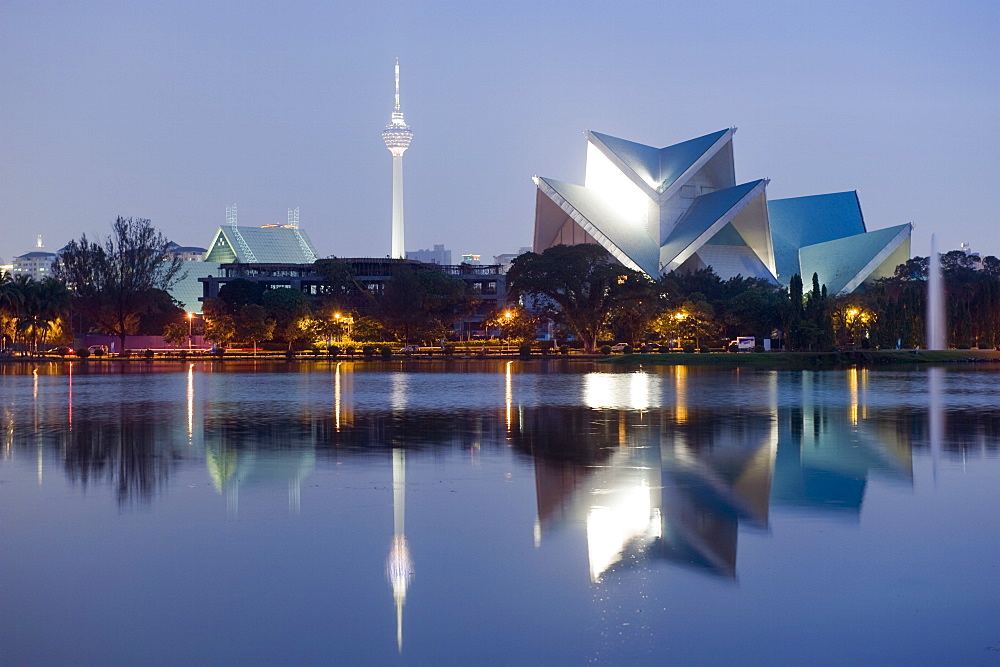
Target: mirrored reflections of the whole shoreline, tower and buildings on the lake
<point x="664" y="466"/>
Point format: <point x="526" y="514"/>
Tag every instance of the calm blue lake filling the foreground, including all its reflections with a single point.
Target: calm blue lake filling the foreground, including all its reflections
<point x="497" y="512"/>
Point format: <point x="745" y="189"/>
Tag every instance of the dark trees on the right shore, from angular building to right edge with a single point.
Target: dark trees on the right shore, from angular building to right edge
<point x="591" y="297"/>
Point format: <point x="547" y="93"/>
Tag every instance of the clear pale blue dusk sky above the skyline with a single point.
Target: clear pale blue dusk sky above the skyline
<point x="172" y="110"/>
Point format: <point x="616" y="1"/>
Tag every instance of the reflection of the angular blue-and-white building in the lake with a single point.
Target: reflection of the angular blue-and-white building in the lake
<point x="677" y="483"/>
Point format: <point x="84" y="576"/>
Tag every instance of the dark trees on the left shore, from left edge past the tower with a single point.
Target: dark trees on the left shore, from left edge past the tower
<point x="119" y="286"/>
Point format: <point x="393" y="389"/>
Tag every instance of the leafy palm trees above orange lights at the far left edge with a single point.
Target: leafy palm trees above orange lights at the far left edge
<point x="33" y="313"/>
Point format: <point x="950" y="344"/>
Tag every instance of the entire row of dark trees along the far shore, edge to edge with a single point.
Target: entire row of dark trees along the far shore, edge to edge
<point x="119" y="286"/>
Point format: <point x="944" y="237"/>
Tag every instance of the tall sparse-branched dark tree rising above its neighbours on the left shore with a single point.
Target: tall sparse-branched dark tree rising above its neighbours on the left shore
<point x="112" y="282"/>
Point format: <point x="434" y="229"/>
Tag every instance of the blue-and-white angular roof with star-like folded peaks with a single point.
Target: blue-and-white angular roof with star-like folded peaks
<point x="657" y="210"/>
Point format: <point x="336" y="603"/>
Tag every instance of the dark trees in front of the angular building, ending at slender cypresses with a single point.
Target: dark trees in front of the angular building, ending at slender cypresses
<point x="591" y="297"/>
